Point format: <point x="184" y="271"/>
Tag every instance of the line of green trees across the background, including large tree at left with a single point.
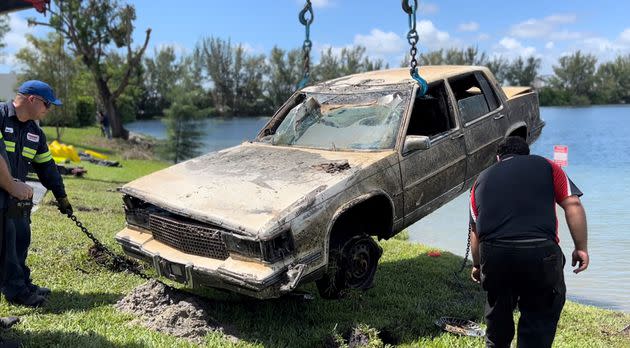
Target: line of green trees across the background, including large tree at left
<point x="91" y="61"/>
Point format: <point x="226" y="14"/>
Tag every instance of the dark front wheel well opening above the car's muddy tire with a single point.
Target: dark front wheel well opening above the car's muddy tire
<point x="373" y="216"/>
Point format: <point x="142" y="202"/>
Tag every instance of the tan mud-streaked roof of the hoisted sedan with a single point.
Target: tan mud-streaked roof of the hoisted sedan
<point x="395" y="76"/>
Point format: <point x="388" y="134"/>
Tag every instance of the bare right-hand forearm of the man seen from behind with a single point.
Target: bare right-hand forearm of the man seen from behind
<point x="576" y="220"/>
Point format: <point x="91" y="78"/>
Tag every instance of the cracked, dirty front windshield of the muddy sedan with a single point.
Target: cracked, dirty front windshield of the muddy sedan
<point x="368" y="121"/>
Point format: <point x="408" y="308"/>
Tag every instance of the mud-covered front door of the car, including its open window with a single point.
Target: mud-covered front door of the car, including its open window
<point x="432" y="176"/>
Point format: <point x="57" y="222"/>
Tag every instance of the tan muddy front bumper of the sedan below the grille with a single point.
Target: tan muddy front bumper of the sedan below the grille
<point x="247" y="277"/>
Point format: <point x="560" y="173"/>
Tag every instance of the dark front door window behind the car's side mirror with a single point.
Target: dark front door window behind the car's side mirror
<point x="431" y="114"/>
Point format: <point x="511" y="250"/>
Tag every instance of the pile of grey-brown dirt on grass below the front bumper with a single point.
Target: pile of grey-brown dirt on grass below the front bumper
<point x="168" y="310"/>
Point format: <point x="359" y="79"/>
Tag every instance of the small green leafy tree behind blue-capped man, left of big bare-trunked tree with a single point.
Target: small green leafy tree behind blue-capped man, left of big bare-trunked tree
<point x="47" y="60"/>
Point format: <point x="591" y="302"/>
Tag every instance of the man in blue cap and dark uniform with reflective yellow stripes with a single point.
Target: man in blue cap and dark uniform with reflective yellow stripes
<point x="25" y="147"/>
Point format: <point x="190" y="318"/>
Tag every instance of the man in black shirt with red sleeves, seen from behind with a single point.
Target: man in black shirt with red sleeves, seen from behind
<point x="514" y="243"/>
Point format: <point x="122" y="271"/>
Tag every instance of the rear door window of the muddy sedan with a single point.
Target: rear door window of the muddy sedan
<point x="474" y="96"/>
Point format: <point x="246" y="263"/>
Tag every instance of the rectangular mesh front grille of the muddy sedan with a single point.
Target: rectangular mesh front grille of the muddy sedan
<point x="188" y="237"/>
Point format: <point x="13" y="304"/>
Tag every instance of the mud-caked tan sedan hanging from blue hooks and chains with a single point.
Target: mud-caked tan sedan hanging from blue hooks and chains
<point x="340" y="165"/>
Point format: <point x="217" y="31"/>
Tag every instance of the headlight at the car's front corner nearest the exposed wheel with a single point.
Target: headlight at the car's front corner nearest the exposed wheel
<point x="269" y="251"/>
